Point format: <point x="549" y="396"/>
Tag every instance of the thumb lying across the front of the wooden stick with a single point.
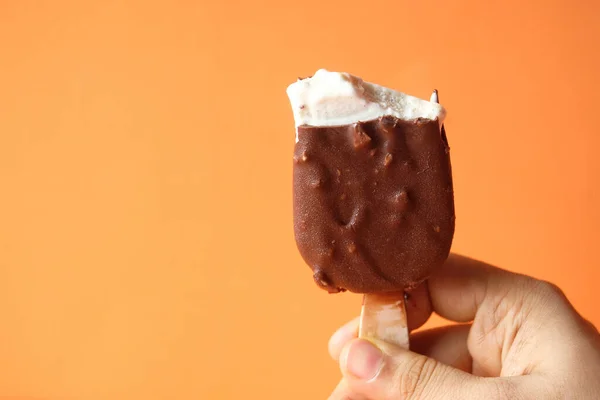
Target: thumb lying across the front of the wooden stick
<point x="380" y="371"/>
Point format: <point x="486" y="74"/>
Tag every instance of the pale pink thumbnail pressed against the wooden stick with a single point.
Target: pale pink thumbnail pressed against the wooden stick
<point x="363" y="360"/>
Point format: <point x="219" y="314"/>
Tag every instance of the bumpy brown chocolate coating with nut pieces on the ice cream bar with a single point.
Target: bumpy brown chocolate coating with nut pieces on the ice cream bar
<point x="373" y="203"/>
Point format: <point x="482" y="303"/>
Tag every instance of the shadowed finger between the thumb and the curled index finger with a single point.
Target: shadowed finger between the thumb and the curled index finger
<point x="447" y="345"/>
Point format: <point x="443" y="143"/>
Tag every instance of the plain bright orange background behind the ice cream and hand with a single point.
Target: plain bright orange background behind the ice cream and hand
<point x="146" y="247"/>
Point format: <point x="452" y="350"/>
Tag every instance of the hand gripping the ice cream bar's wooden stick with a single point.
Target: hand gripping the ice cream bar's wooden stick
<point x="524" y="341"/>
